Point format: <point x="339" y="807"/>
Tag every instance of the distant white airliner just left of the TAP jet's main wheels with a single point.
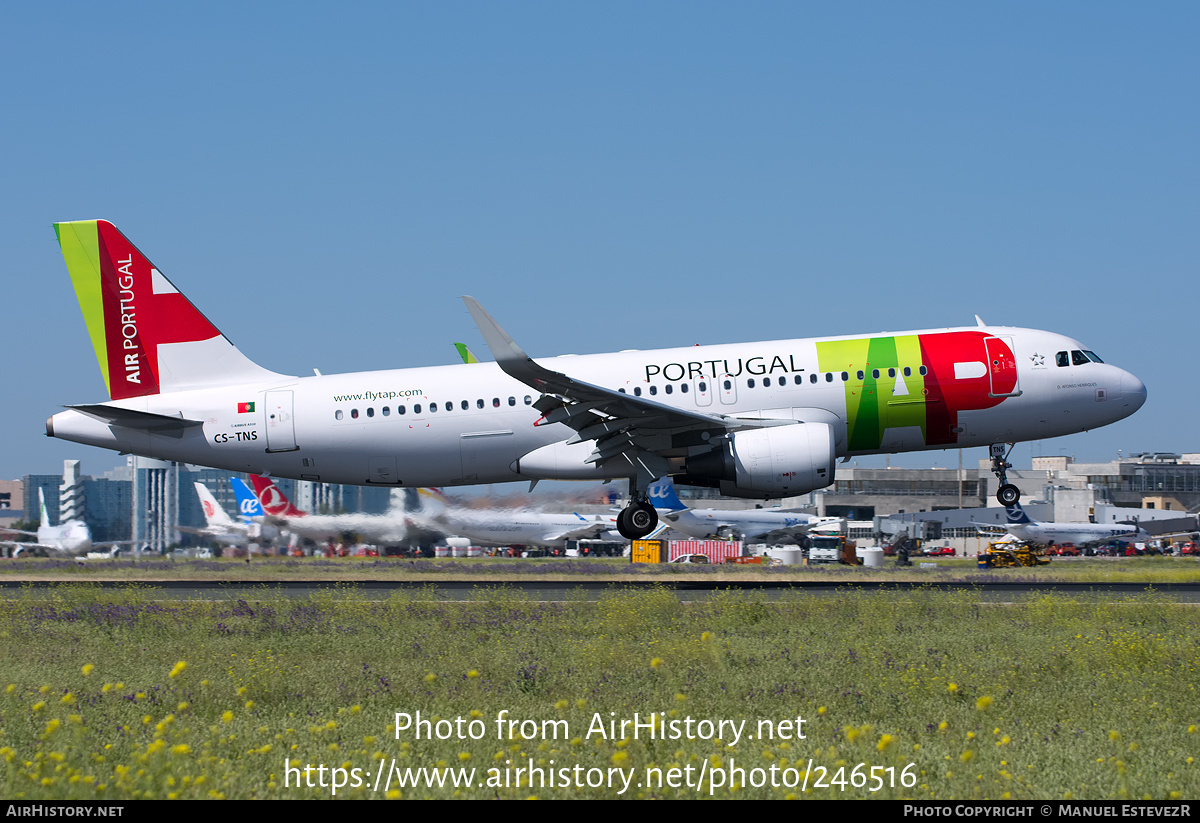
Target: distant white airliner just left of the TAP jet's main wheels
<point x="512" y="527"/>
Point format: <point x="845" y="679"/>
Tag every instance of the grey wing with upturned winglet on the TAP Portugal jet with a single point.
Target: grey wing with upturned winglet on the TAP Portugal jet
<point x="633" y="435"/>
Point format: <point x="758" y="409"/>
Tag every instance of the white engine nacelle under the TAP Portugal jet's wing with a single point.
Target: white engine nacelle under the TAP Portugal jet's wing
<point x="776" y="461"/>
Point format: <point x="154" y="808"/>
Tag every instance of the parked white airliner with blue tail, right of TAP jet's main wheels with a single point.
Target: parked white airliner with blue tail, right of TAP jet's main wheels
<point x="757" y="526"/>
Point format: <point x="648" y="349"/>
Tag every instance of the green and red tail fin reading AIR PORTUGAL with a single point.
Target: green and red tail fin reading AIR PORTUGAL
<point x="148" y="338"/>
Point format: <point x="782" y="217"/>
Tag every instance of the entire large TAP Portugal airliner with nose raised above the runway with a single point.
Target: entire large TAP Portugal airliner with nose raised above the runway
<point x="755" y="420"/>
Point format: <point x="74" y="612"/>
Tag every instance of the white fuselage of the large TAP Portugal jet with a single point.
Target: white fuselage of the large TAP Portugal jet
<point x="472" y="424"/>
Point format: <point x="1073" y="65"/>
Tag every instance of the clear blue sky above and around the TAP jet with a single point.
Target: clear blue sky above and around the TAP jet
<point x="325" y="182"/>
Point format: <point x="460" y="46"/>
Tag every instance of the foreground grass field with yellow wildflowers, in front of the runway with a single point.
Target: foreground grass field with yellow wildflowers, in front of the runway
<point x="121" y="694"/>
